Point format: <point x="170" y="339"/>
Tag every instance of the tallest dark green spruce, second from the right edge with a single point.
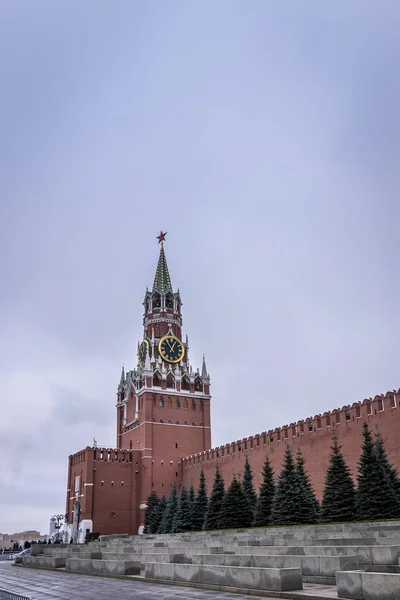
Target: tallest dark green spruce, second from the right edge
<point x="372" y="490"/>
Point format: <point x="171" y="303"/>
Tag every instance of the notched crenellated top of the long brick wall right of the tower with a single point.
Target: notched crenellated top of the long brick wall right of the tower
<point x="328" y="423"/>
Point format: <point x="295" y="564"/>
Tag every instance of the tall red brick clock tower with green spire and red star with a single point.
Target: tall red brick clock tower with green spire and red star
<point x="163" y="404"/>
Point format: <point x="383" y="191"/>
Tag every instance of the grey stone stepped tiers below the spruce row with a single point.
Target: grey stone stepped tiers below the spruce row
<point x="361" y="559"/>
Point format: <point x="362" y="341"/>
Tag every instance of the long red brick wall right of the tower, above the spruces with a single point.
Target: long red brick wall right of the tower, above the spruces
<point x="313" y="436"/>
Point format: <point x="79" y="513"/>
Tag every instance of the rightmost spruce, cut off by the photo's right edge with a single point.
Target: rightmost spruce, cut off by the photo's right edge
<point x="390" y="482"/>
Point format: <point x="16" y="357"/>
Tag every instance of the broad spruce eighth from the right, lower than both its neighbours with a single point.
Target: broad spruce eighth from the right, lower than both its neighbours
<point x="236" y="511"/>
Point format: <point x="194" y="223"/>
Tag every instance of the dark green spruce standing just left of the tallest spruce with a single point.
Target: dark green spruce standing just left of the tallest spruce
<point x="339" y="498"/>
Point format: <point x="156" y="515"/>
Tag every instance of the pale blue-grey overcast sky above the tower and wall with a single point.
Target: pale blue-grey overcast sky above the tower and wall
<point x="264" y="137"/>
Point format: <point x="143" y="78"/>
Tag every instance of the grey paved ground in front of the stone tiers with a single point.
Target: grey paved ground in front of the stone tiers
<point x="49" y="585"/>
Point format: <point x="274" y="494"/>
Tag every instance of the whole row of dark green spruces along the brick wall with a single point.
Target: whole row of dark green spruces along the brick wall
<point x="290" y="500"/>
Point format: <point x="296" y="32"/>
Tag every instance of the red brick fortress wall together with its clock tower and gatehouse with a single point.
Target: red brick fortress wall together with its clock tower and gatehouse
<point x="164" y="430"/>
